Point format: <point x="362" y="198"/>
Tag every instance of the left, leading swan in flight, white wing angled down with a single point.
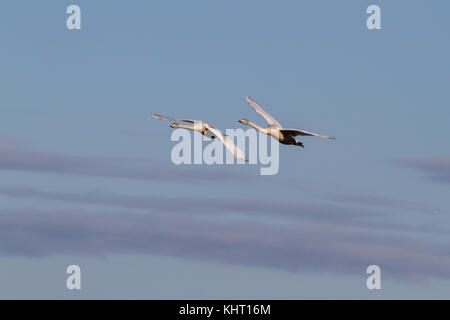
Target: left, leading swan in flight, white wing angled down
<point x="208" y="130"/>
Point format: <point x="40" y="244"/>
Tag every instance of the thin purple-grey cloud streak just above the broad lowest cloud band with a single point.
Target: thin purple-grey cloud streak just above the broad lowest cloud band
<point x="200" y="205"/>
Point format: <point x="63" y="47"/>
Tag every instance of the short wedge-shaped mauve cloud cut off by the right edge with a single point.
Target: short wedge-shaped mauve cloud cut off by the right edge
<point x="438" y="168"/>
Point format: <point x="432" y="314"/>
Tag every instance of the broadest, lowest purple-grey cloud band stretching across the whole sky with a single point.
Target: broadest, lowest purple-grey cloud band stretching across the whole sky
<point x="294" y="247"/>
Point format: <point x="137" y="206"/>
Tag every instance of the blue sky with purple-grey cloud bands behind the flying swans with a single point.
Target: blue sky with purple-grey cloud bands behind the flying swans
<point x="86" y="176"/>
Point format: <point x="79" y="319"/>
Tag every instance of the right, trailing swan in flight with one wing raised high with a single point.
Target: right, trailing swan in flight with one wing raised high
<point x="284" y="136"/>
